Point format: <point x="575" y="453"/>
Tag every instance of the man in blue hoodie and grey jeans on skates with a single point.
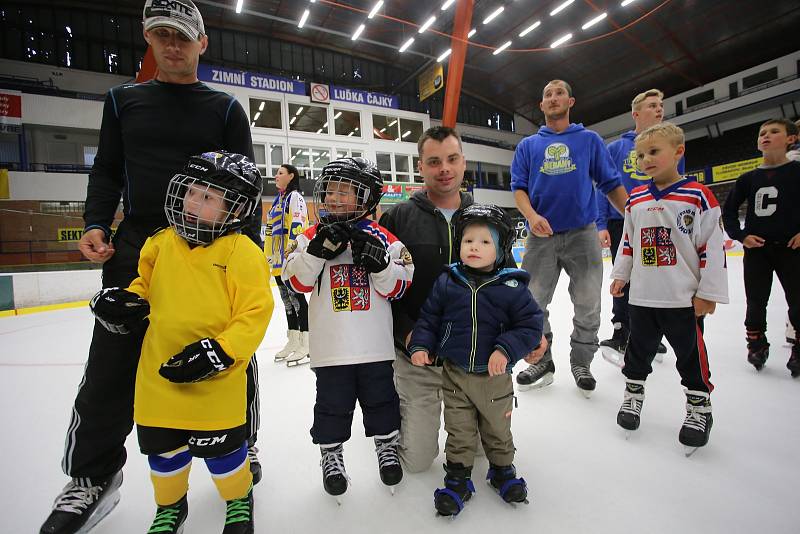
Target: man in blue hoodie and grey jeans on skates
<point x="553" y="177"/>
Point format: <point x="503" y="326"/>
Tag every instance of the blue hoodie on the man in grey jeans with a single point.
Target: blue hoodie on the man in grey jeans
<point x="557" y="170"/>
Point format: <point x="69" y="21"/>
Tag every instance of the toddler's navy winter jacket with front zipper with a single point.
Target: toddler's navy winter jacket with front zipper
<point x="465" y="324"/>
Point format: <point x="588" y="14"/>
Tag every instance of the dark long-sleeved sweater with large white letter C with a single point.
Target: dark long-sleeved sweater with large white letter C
<point x="773" y="196"/>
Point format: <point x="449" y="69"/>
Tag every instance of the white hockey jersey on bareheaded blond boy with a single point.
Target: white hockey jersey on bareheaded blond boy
<point x="672" y="246"/>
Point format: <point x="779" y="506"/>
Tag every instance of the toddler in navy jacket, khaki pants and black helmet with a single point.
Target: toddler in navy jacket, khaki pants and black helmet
<point x="477" y="351"/>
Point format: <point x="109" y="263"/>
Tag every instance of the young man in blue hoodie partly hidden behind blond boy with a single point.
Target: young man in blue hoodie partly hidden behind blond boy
<point x="647" y="109"/>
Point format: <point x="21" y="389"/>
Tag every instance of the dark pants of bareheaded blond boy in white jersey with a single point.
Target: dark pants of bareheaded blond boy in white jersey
<point x="684" y="332"/>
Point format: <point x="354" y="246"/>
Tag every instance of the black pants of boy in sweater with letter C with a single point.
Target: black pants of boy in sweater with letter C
<point x="759" y="264"/>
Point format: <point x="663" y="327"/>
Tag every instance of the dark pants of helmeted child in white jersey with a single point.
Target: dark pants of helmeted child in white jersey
<point x="338" y="387"/>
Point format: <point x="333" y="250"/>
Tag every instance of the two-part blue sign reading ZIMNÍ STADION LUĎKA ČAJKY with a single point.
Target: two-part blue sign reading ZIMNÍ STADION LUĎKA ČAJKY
<point x="268" y="82"/>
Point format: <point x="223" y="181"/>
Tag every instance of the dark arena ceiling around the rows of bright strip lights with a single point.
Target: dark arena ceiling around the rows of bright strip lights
<point x="674" y="45"/>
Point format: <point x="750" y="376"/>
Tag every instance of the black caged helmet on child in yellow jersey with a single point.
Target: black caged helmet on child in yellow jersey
<point x="233" y="176"/>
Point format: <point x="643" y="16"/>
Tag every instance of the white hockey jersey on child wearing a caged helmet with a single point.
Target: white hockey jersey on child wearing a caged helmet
<point x="349" y="313"/>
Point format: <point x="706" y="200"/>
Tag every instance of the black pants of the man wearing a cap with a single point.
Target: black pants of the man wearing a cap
<point x="102" y="416"/>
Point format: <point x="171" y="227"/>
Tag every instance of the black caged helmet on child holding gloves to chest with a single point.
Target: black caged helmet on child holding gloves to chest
<point x="359" y="175"/>
